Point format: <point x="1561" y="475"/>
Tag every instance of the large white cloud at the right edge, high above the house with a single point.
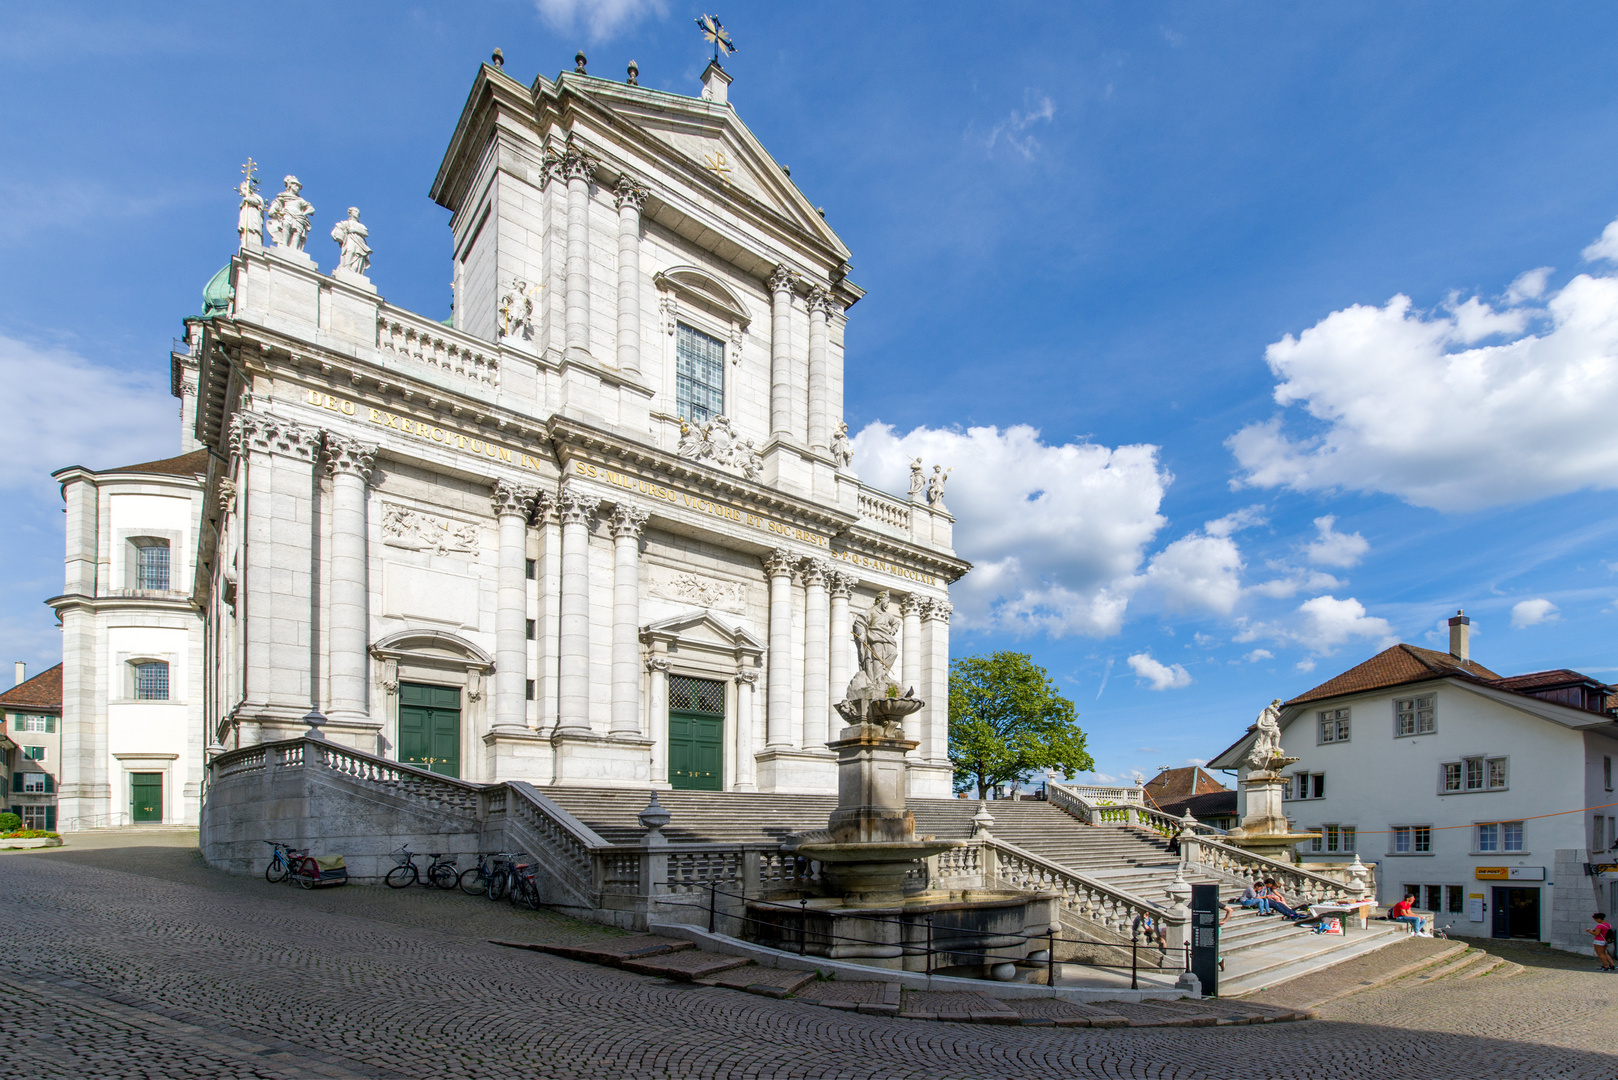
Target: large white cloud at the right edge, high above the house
<point x="1402" y="402"/>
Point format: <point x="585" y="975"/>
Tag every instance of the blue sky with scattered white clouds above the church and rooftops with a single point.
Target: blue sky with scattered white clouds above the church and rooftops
<point x="1133" y="270"/>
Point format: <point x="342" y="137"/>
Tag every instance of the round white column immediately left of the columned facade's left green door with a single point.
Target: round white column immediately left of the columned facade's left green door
<point x="349" y="613"/>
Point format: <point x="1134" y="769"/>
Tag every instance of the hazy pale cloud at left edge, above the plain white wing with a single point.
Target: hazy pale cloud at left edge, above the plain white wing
<point x="117" y="417"/>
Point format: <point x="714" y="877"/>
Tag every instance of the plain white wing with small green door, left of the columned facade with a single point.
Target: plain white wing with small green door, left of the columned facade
<point x="132" y="645"/>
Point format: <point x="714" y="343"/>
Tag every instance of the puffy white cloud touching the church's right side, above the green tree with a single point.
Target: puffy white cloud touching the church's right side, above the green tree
<point x="1056" y="534"/>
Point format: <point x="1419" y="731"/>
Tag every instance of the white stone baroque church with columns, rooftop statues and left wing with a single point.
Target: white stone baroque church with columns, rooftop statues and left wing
<point x="598" y="529"/>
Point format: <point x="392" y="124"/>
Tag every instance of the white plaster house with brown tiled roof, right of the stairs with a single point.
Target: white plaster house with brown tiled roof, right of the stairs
<point x="1459" y="784"/>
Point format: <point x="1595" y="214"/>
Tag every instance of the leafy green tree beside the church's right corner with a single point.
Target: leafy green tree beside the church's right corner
<point x="1007" y="721"/>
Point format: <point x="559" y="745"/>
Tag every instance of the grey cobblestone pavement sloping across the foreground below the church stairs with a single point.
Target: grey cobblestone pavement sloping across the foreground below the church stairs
<point x="142" y="963"/>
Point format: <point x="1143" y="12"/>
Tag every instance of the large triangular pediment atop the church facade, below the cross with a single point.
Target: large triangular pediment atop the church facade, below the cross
<point x="718" y="145"/>
